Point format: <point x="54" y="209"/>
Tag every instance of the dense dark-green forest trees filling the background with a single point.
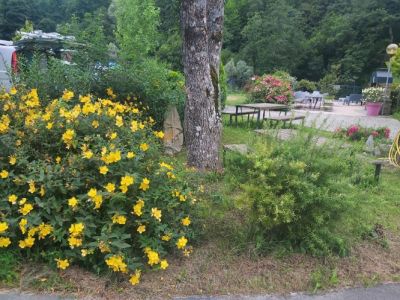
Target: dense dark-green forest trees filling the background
<point x="339" y="40"/>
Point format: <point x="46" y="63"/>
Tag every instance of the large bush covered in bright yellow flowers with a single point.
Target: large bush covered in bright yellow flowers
<point x="82" y="182"/>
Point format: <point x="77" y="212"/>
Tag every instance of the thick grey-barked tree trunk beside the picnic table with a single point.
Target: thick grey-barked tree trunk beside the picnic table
<point x="202" y="22"/>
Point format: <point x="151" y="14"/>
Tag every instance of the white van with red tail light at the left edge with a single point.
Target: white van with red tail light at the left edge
<point x="8" y="63"/>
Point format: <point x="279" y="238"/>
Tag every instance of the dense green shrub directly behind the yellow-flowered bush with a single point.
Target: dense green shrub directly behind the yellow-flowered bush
<point x="150" y="81"/>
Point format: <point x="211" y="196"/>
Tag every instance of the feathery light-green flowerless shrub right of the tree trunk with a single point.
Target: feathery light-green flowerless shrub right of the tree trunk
<point x="296" y="192"/>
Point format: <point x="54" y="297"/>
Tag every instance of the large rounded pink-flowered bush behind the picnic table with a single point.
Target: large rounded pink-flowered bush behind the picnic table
<point x="270" y="89"/>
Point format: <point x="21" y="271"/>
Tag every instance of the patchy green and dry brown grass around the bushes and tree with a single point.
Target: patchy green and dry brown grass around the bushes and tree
<point x="221" y="265"/>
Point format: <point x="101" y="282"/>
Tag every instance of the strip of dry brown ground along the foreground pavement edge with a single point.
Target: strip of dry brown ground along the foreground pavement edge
<point x="211" y="271"/>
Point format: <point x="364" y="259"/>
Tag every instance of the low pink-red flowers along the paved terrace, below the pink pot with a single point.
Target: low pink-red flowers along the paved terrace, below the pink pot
<point x="357" y="133"/>
